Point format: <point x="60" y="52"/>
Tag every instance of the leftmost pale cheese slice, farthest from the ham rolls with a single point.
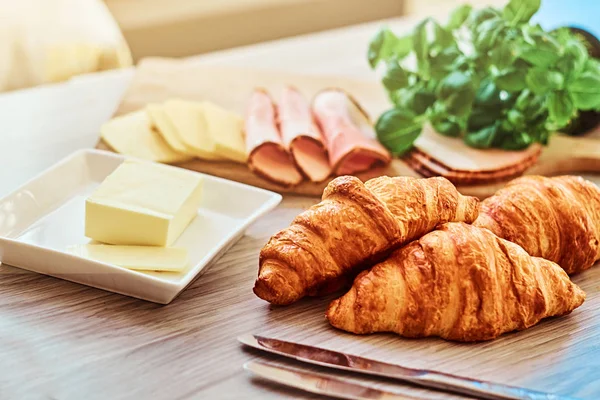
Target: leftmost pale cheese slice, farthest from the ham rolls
<point x="132" y="134"/>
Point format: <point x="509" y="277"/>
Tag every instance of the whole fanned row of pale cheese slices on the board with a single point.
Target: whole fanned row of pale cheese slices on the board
<point x="177" y="131"/>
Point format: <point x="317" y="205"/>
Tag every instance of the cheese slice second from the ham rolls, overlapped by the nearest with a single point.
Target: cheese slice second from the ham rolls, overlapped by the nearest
<point x="191" y="126"/>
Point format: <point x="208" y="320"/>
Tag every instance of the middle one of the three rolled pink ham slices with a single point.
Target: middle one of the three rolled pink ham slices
<point x="301" y="136"/>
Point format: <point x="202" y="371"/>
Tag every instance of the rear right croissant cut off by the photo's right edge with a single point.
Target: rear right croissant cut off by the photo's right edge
<point x="554" y="218"/>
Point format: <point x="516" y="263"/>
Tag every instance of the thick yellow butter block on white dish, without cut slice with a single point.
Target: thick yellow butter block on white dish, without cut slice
<point x="143" y="203"/>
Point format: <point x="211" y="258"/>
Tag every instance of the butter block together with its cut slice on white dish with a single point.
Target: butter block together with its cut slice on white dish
<point x="137" y="213"/>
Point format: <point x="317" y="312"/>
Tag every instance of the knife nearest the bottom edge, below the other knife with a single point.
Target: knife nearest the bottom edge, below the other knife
<point x="314" y="382"/>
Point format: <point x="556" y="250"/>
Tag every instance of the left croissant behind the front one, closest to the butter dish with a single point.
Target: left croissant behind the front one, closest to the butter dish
<point x="354" y="226"/>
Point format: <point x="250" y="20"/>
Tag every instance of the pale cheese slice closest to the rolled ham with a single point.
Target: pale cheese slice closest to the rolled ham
<point x="226" y="131"/>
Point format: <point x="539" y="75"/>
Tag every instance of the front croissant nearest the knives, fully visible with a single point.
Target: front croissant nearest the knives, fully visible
<point x="458" y="282"/>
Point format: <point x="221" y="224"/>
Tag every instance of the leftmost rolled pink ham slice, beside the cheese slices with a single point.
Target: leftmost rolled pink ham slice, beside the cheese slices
<point x="267" y="155"/>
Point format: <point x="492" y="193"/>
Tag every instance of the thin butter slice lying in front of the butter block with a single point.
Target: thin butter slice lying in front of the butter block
<point x="146" y="258"/>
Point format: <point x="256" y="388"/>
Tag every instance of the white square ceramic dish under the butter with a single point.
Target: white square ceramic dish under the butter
<point x="46" y="215"/>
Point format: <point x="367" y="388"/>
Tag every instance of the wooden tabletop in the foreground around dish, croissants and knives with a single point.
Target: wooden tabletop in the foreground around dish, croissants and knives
<point x="65" y="341"/>
